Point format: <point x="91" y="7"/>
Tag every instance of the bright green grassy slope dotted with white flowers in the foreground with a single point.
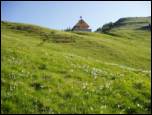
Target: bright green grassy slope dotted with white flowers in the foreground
<point x="49" y="71"/>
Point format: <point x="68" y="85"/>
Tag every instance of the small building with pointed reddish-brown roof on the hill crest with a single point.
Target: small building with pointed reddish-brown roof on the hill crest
<point x="81" y="26"/>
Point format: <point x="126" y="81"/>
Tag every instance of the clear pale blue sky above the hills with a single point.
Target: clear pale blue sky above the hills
<point x="63" y="14"/>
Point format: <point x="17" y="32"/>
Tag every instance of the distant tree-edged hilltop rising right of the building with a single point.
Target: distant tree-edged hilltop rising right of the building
<point x="128" y="23"/>
